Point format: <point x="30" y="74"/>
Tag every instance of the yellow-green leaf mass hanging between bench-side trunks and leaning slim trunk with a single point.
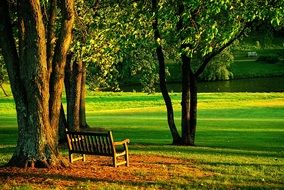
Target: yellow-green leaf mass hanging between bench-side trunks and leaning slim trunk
<point x="116" y="44"/>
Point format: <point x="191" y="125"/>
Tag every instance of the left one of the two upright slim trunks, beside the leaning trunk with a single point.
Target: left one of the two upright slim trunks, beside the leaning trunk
<point x="185" y="100"/>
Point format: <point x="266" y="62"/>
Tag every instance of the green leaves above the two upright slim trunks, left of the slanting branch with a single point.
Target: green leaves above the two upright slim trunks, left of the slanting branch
<point x="206" y="27"/>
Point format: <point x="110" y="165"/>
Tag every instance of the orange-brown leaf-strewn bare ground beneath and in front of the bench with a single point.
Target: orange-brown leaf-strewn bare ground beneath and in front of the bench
<point x="144" y="170"/>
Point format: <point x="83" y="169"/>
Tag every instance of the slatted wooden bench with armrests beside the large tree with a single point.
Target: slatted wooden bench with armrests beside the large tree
<point x="97" y="143"/>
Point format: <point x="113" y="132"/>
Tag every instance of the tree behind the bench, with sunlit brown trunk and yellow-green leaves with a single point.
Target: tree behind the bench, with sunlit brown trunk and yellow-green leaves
<point x="109" y="46"/>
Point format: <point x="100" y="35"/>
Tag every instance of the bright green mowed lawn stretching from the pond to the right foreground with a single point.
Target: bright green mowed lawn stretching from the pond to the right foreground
<point x="239" y="140"/>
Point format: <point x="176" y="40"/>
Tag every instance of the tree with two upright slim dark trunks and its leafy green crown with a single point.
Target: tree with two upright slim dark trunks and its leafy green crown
<point x="198" y="31"/>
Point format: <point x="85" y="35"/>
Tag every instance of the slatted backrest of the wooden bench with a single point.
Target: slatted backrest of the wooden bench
<point x="97" y="143"/>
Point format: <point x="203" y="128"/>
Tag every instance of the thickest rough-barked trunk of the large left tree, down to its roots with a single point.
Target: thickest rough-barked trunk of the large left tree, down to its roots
<point x="36" y="144"/>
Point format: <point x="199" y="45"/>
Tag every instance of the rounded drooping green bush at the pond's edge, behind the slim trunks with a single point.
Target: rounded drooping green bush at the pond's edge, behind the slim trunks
<point x="219" y="67"/>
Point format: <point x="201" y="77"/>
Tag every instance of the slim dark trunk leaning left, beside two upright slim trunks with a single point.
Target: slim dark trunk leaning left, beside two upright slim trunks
<point x="162" y="79"/>
